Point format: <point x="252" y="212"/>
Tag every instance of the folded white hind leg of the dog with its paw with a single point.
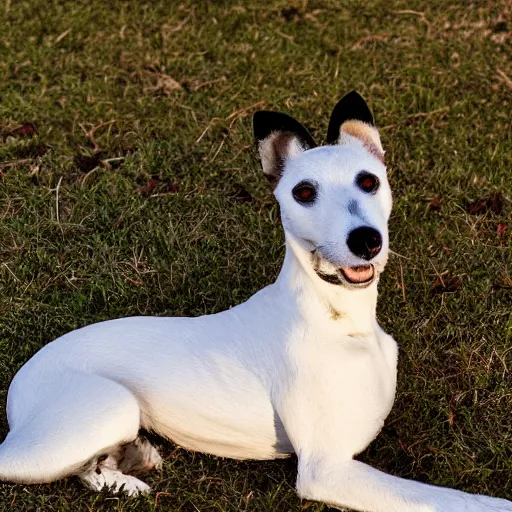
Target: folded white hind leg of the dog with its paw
<point x="60" y="425"/>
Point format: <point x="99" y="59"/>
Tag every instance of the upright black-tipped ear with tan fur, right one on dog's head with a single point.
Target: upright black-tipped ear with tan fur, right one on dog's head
<point x="352" y="117"/>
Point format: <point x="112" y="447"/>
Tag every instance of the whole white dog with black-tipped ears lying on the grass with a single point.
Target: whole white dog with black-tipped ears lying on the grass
<point x="302" y="366"/>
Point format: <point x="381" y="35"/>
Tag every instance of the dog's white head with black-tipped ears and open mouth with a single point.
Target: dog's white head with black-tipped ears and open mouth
<point x="335" y="199"/>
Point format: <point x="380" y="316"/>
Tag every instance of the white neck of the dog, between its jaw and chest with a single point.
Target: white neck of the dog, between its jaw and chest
<point x="321" y="301"/>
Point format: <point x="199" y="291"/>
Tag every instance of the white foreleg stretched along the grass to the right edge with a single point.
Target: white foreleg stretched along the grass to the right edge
<point x="355" y="485"/>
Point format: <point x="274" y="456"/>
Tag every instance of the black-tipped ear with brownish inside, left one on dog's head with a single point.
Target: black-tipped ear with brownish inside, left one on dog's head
<point x="278" y="137"/>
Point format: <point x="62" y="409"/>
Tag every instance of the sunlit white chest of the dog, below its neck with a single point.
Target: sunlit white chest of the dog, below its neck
<point x="348" y="385"/>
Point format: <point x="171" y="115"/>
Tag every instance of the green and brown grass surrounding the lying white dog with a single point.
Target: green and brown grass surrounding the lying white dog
<point x="136" y="190"/>
